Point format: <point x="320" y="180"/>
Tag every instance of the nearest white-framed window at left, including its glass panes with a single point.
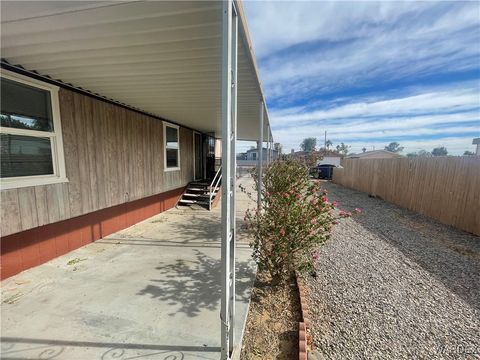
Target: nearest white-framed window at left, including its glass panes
<point x="31" y="147"/>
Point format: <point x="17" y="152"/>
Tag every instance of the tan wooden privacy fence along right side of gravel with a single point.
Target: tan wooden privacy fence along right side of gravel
<point x="444" y="188"/>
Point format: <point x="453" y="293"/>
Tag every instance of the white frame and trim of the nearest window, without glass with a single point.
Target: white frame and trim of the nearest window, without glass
<point x="58" y="158"/>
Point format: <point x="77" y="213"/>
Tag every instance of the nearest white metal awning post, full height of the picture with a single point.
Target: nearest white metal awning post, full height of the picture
<point x="229" y="136"/>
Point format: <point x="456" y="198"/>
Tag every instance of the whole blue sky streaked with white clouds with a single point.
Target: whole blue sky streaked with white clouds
<point x="370" y="72"/>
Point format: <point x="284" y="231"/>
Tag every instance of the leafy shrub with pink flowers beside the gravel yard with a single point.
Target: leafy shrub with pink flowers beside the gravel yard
<point x="295" y="217"/>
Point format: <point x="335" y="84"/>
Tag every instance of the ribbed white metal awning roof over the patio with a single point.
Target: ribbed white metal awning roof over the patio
<point x="161" y="57"/>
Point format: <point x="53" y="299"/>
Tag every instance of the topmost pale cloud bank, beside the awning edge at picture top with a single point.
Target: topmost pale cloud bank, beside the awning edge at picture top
<point x="293" y="22"/>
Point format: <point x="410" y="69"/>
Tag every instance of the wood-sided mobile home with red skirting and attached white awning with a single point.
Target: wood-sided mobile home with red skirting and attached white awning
<point x="107" y="114"/>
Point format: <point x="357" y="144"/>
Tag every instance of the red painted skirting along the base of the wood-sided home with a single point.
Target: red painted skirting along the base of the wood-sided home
<point x="36" y="246"/>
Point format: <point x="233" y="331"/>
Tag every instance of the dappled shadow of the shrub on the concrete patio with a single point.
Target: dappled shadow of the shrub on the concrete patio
<point x="195" y="285"/>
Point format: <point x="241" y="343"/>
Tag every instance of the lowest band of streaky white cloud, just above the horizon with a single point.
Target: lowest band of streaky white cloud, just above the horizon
<point x="412" y="121"/>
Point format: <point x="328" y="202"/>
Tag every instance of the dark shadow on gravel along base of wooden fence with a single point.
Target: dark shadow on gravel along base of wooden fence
<point x="450" y="255"/>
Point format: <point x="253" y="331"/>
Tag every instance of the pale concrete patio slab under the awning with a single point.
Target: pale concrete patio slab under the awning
<point x="149" y="291"/>
